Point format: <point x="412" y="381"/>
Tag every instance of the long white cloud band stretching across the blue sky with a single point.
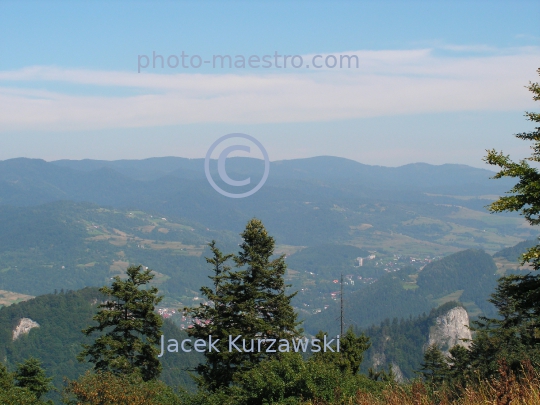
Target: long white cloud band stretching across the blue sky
<point x="387" y="83"/>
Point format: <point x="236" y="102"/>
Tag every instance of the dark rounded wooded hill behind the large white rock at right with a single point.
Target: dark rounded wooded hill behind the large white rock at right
<point x="468" y="276"/>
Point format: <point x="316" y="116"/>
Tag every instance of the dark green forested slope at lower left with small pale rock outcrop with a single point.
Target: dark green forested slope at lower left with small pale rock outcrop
<point x="57" y="341"/>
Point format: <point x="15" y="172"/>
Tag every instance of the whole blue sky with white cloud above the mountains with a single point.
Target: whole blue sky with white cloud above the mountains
<point x="436" y="81"/>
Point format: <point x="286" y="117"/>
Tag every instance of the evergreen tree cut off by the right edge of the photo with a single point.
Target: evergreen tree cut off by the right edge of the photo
<point x="515" y="334"/>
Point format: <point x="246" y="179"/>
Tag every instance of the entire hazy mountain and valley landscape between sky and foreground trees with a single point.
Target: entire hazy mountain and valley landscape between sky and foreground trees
<point x="422" y="232"/>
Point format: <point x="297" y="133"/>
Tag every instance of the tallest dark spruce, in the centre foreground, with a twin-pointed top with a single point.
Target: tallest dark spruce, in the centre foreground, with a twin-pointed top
<point x="249" y="301"/>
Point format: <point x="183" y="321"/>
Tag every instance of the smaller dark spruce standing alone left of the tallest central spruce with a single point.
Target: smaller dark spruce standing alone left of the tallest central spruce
<point x="131" y="329"/>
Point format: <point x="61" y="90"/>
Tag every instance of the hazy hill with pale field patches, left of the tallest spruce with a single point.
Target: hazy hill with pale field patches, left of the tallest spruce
<point x="66" y="245"/>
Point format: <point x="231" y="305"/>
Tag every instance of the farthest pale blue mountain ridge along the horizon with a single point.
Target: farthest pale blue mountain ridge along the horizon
<point x="449" y="178"/>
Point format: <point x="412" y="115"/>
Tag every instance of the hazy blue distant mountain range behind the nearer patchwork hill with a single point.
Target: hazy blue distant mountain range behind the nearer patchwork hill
<point x="305" y="202"/>
